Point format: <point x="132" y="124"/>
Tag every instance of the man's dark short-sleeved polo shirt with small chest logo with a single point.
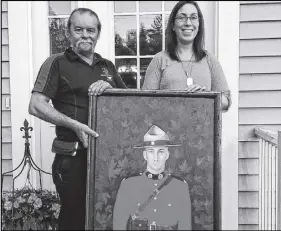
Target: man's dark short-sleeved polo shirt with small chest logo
<point x="65" y="78"/>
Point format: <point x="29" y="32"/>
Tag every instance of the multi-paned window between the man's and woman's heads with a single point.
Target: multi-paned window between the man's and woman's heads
<point x="139" y="35"/>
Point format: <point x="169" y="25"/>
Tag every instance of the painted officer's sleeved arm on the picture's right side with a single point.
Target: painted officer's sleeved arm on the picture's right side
<point x="185" y="222"/>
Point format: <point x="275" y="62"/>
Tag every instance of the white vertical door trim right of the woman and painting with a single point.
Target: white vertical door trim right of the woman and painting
<point x="228" y="55"/>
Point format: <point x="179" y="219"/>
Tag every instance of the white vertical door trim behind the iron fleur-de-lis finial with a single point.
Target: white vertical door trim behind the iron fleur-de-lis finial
<point x="20" y="57"/>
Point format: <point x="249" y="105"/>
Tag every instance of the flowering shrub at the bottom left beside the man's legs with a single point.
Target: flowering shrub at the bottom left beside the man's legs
<point x="27" y="209"/>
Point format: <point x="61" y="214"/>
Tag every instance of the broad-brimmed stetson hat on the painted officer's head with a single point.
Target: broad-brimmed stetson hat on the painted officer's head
<point x="156" y="137"/>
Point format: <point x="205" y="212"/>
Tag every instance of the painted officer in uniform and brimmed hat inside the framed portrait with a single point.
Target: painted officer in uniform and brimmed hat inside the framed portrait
<point x="155" y="200"/>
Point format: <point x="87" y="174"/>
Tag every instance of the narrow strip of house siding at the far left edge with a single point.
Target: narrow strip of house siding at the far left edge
<point x="7" y="164"/>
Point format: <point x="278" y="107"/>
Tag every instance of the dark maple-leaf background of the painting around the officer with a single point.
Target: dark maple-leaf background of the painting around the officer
<point x="121" y="123"/>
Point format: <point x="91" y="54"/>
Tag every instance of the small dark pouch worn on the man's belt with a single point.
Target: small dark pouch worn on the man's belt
<point x="66" y="147"/>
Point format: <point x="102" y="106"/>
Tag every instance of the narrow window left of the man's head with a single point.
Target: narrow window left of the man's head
<point x="59" y="12"/>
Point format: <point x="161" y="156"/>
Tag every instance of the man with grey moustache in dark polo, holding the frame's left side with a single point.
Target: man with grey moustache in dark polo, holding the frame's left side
<point x="67" y="78"/>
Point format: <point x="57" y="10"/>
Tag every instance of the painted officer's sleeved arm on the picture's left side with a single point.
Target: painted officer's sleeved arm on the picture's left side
<point x="121" y="210"/>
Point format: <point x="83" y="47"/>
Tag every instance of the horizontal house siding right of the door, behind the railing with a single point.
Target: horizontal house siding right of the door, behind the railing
<point x="259" y="95"/>
